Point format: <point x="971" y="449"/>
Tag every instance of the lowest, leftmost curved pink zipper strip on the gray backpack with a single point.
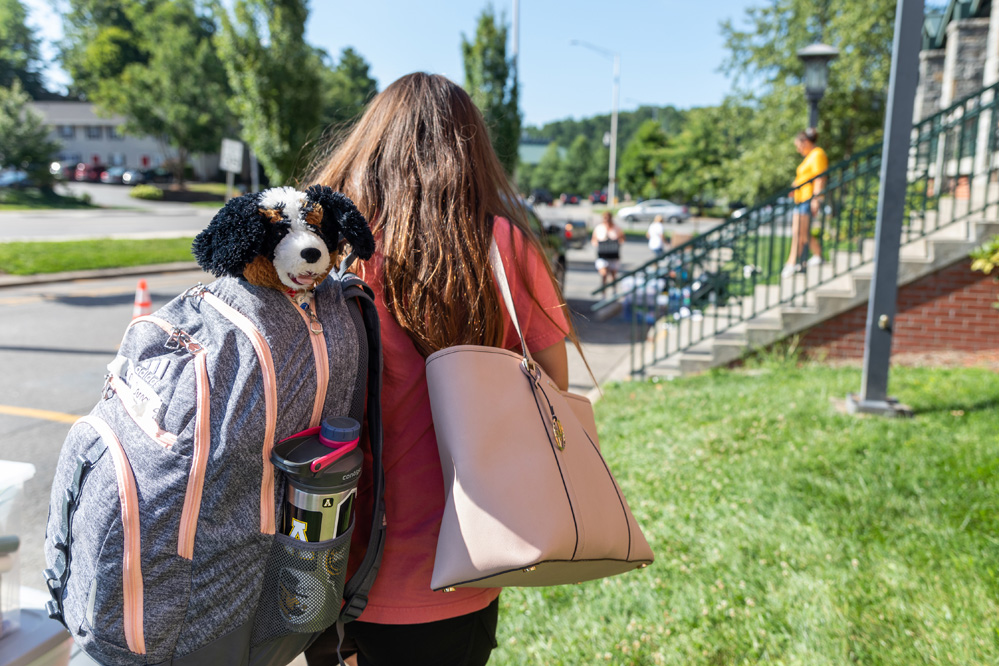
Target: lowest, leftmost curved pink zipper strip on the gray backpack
<point x="131" y="562"/>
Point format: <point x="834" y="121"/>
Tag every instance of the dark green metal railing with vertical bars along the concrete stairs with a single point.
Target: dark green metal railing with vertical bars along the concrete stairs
<point x="713" y="283"/>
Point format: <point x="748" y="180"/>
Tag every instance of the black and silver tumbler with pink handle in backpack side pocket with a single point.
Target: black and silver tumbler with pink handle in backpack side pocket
<point x="322" y="469"/>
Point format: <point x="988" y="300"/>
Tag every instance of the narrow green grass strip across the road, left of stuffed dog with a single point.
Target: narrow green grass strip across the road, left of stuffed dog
<point x="54" y="257"/>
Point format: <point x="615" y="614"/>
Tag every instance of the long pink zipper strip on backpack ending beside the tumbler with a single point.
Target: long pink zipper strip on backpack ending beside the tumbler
<point x="263" y="350"/>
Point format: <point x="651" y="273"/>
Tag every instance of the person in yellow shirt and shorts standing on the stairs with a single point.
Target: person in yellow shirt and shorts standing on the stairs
<point x="809" y="182"/>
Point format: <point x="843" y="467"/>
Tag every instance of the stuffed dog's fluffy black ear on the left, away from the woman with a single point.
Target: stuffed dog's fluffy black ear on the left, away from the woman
<point x="233" y="239"/>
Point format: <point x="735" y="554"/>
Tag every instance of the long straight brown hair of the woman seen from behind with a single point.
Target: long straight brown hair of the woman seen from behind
<point x="420" y="166"/>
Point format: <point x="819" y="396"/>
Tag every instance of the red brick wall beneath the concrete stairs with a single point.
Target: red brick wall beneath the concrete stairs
<point x="948" y="310"/>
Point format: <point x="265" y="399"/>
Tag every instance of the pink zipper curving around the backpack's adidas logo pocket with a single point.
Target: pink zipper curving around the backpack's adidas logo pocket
<point x="202" y="438"/>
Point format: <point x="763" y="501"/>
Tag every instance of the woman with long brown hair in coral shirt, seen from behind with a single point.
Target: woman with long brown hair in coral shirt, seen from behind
<point x="420" y="167"/>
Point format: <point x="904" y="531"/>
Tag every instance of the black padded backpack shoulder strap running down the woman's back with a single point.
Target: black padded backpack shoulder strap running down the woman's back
<point x="355" y="593"/>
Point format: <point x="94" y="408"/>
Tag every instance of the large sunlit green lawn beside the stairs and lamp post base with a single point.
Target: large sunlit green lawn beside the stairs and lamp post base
<point x="786" y="532"/>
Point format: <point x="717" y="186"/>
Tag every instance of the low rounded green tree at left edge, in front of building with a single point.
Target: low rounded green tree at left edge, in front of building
<point x="24" y="139"/>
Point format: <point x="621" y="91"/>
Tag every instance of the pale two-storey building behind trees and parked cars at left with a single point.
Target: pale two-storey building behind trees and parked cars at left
<point x="84" y="136"/>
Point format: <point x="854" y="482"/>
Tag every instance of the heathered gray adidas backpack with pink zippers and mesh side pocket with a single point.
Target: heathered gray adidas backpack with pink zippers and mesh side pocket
<point x="161" y="541"/>
